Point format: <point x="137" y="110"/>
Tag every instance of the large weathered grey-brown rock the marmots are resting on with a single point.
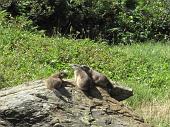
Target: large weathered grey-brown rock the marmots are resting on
<point x="33" y="105"/>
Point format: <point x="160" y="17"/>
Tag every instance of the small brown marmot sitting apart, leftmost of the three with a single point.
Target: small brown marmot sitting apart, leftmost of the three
<point x="55" y="81"/>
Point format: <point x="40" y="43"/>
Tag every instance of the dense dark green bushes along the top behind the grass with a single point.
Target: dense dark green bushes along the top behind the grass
<point x="117" y="21"/>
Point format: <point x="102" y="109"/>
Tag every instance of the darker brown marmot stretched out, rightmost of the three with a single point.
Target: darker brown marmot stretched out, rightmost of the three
<point x="98" y="78"/>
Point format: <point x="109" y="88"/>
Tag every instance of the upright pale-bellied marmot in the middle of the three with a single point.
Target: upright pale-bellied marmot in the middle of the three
<point x="82" y="79"/>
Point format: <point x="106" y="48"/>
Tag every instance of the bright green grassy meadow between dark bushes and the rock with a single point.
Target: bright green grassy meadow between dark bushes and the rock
<point x="26" y="56"/>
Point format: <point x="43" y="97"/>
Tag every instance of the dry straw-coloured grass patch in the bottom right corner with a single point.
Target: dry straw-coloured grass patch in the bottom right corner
<point x="157" y="113"/>
